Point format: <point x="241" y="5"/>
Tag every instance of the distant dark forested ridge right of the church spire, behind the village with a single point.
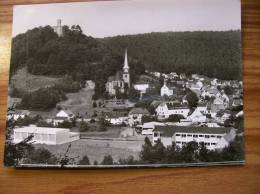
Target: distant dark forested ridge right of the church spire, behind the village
<point x="215" y="54"/>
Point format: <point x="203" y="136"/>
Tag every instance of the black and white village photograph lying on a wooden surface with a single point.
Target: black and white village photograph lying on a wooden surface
<point x="127" y="83"/>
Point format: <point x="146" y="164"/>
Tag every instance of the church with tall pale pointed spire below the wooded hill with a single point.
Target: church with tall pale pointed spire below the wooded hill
<point x="120" y="81"/>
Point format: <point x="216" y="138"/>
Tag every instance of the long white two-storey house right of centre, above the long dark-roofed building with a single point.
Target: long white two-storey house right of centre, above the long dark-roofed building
<point x="164" y="110"/>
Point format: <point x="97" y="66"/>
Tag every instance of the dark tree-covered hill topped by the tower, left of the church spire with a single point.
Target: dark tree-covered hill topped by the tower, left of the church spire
<point x="81" y="57"/>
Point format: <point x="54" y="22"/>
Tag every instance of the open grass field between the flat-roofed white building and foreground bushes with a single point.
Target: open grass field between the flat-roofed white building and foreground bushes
<point x="97" y="149"/>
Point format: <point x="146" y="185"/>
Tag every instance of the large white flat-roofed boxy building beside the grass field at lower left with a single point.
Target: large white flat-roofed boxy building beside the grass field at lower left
<point x="45" y="135"/>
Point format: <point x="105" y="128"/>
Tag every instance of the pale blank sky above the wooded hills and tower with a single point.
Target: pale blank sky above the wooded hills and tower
<point x="110" y="18"/>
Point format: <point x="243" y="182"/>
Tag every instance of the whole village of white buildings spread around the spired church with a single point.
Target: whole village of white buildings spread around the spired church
<point x="167" y="107"/>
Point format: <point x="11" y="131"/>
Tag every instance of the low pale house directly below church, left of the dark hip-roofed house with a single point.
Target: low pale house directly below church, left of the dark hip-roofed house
<point x="117" y="117"/>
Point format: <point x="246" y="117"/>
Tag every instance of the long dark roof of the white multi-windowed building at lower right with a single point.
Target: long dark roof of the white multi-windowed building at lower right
<point x="168" y="131"/>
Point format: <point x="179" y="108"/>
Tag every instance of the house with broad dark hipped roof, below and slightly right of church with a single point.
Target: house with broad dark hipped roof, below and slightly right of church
<point x="135" y="115"/>
